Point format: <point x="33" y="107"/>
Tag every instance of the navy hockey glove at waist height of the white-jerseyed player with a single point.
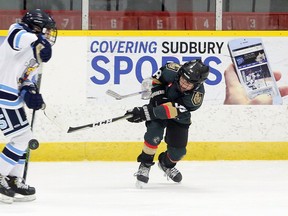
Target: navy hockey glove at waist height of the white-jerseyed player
<point x="32" y="98"/>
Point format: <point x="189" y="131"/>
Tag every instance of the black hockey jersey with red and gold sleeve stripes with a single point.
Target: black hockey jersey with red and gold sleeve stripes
<point x="175" y="104"/>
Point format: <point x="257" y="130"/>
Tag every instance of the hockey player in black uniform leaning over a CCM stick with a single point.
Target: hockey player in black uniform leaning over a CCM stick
<point x="176" y="91"/>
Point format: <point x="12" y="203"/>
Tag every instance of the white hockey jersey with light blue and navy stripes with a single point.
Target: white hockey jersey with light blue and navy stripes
<point x="18" y="65"/>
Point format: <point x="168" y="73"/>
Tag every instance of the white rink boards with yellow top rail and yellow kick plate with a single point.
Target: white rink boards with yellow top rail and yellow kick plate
<point x="87" y="63"/>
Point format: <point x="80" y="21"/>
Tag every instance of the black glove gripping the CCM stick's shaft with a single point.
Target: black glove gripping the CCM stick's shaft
<point x="140" y="114"/>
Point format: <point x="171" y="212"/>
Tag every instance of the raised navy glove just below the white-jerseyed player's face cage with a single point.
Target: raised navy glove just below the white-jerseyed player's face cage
<point x="42" y="49"/>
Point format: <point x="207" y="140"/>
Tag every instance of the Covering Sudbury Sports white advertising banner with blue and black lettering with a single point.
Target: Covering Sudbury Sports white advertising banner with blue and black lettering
<point x="122" y="63"/>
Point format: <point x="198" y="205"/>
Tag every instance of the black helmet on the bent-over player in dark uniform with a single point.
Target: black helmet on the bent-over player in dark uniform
<point x="194" y="72"/>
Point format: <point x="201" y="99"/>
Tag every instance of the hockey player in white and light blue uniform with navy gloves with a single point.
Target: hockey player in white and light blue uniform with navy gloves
<point x="27" y="45"/>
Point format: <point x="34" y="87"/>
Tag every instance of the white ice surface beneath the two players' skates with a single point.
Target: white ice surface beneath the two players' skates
<point x="224" y="188"/>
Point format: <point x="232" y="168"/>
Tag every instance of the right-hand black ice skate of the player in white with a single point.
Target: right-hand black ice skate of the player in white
<point x="23" y="192"/>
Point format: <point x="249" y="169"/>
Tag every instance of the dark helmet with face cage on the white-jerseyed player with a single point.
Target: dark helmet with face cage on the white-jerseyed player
<point x="40" y="22"/>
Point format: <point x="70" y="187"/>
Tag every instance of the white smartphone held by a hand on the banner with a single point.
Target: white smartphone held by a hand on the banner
<point x="253" y="69"/>
